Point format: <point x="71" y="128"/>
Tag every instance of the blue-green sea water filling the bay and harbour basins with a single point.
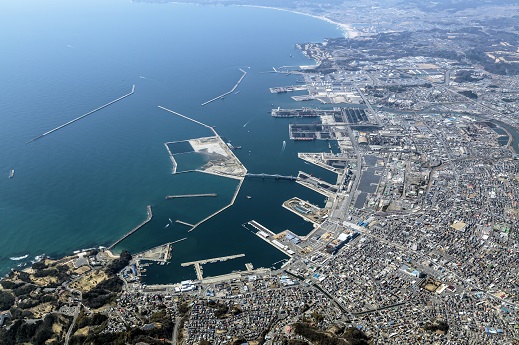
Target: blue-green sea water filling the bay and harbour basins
<point x="89" y="183"/>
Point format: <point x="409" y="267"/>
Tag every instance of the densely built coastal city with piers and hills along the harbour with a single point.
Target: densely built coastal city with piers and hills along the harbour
<point x="418" y="241"/>
